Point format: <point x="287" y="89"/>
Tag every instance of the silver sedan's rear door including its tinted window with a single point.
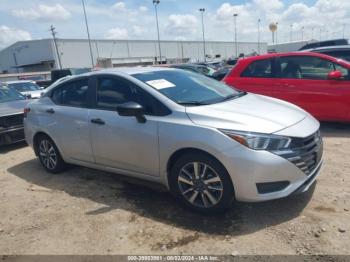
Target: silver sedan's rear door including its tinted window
<point x="66" y="119"/>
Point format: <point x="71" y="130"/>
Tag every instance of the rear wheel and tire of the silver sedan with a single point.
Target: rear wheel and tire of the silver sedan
<point x="49" y="155"/>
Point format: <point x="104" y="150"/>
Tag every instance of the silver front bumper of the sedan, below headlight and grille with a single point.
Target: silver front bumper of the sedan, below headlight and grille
<point x="249" y="169"/>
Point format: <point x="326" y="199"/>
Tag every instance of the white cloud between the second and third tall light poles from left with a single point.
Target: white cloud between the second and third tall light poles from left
<point x="181" y="25"/>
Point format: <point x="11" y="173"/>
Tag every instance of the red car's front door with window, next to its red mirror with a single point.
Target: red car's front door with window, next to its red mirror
<point x="303" y="80"/>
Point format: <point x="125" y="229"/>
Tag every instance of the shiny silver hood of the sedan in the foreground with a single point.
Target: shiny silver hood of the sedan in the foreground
<point x="253" y="113"/>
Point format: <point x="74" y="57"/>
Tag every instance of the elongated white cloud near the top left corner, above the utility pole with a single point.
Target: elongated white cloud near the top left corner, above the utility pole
<point x="44" y="13"/>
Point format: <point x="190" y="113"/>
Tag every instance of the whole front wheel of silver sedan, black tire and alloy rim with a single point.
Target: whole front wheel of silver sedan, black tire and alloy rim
<point x="201" y="182"/>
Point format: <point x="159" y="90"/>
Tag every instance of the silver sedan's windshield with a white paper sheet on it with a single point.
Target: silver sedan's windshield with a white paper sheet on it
<point x="188" y="88"/>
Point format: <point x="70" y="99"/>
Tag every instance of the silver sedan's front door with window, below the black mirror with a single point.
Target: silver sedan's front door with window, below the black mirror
<point x="118" y="141"/>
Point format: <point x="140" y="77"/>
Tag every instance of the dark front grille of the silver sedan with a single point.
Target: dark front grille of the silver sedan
<point x="305" y="153"/>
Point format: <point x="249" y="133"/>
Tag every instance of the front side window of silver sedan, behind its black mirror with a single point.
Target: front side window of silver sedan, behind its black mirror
<point x="112" y="91"/>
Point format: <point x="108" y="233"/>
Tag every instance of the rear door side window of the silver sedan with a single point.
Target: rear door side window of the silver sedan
<point x="73" y="93"/>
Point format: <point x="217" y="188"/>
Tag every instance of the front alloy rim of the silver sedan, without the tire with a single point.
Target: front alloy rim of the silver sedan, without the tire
<point x="200" y="185"/>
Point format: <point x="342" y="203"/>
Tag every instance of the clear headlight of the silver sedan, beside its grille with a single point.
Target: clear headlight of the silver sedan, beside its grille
<point x="259" y="141"/>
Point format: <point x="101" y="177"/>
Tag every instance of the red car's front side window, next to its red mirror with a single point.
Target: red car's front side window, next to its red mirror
<point x="305" y="67"/>
